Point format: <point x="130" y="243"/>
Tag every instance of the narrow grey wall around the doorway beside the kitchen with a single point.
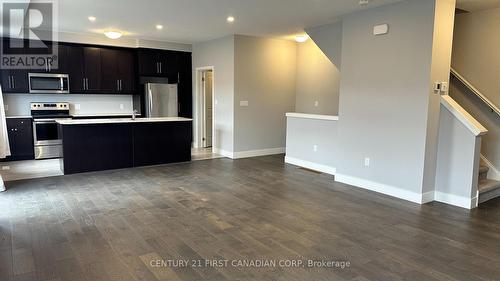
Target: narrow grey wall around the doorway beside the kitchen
<point x="219" y="53"/>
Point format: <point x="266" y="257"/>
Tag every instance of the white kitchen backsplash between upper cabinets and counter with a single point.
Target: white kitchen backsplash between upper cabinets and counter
<point x="85" y="104"/>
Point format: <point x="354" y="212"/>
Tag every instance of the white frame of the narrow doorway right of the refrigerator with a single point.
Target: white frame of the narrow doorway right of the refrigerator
<point x="200" y="110"/>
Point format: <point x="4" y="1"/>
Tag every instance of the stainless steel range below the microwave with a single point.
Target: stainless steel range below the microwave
<point x="45" y="132"/>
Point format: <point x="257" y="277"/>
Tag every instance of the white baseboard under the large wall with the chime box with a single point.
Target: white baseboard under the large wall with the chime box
<point x="383" y="188"/>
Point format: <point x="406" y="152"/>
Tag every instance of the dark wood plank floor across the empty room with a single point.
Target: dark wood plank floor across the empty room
<point x="112" y="225"/>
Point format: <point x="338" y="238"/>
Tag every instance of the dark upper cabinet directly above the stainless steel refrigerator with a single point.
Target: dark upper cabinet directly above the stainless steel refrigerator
<point x="158" y="63"/>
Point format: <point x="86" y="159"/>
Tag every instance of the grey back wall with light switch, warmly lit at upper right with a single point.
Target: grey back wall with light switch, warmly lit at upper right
<point x="265" y="72"/>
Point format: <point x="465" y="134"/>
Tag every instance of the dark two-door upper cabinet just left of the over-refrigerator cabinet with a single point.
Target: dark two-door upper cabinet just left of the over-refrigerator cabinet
<point x="117" y="67"/>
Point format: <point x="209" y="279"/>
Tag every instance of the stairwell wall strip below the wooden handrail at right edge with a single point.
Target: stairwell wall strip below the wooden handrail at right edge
<point x="490" y="146"/>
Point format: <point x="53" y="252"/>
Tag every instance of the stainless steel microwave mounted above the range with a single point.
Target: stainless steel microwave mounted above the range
<point x="48" y="83"/>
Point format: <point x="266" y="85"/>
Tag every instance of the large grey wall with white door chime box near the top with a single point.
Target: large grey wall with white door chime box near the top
<point x="384" y="94"/>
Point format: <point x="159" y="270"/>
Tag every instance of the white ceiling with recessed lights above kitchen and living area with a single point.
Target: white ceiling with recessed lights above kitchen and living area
<point x="191" y="21"/>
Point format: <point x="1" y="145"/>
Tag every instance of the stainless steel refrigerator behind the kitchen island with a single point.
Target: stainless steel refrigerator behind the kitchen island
<point x="161" y="100"/>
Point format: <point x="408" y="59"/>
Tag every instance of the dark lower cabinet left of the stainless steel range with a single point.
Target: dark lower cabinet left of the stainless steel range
<point x="20" y="132"/>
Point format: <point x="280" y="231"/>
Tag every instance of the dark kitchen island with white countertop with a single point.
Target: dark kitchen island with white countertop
<point x="104" y="144"/>
